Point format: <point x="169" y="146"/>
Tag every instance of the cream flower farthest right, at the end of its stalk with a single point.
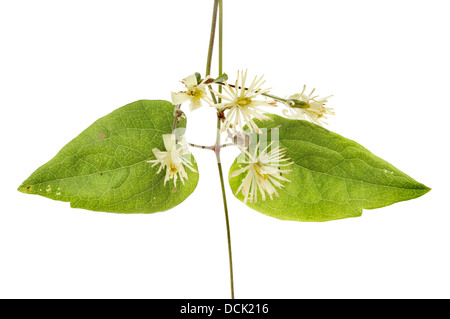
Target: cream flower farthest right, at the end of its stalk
<point x="302" y="107"/>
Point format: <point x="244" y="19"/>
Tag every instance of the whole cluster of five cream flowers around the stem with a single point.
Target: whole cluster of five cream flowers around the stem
<point x="238" y="106"/>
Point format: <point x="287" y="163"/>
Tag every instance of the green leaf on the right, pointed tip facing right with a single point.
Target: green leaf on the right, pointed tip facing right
<point x="332" y="178"/>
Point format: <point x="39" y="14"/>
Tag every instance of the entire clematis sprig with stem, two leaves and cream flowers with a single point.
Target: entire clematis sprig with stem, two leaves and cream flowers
<point x="137" y="159"/>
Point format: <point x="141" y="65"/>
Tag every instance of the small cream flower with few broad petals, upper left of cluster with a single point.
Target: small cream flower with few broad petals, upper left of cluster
<point x="196" y="92"/>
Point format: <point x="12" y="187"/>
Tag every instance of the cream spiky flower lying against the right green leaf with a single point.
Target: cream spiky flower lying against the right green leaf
<point x="263" y="173"/>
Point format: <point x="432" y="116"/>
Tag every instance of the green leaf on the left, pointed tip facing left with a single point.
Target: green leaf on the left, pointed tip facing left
<point x="105" y="169"/>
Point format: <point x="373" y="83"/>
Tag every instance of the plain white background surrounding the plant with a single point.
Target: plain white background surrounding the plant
<point x="64" y="64"/>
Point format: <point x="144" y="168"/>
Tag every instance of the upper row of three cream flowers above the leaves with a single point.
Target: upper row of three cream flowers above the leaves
<point x="243" y="104"/>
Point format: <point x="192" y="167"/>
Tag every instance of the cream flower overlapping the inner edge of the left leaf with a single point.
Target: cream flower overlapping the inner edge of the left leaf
<point x="173" y="159"/>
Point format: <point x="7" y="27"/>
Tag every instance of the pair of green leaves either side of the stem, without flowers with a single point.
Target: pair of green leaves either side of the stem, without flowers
<point x="105" y="169"/>
